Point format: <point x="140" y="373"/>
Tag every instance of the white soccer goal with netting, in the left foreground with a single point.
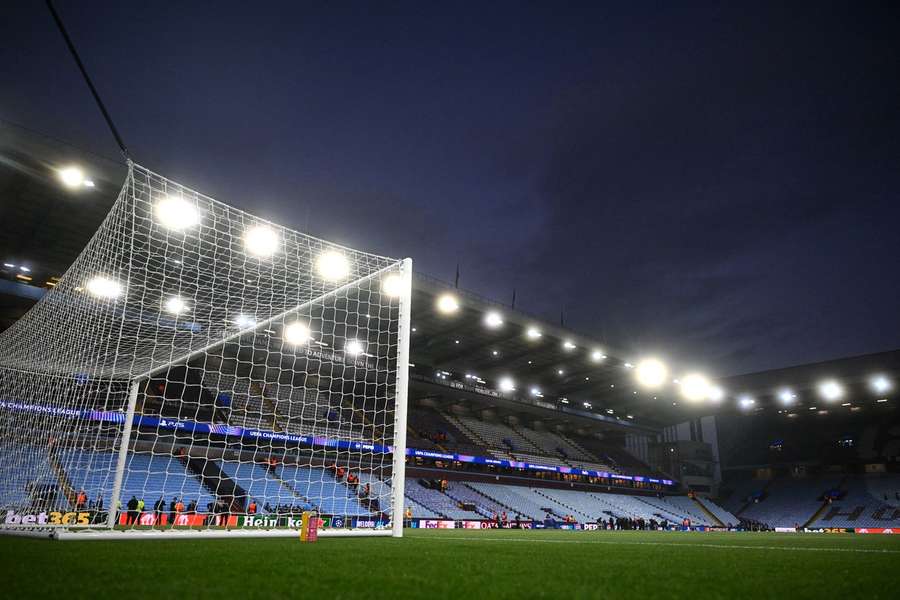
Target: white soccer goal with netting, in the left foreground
<point x="201" y="371"/>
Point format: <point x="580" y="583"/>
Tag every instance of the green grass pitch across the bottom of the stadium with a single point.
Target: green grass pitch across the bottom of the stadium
<point x="471" y="565"/>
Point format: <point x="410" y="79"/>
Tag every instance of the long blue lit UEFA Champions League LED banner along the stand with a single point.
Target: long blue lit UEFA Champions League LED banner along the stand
<point x="307" y="440"/>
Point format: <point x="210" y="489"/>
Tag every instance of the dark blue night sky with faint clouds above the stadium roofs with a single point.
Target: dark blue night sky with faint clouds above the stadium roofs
<point x="715" y="182"/>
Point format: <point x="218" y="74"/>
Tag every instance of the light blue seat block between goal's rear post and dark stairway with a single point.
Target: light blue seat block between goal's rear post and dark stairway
<point x="150" y="477"/>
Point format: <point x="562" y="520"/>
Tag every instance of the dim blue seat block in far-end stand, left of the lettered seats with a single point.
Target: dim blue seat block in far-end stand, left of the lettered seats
<point x="790" y="502"/>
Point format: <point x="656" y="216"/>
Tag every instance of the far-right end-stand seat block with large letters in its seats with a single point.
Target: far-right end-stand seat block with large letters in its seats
<point x="874" y="495"/>
